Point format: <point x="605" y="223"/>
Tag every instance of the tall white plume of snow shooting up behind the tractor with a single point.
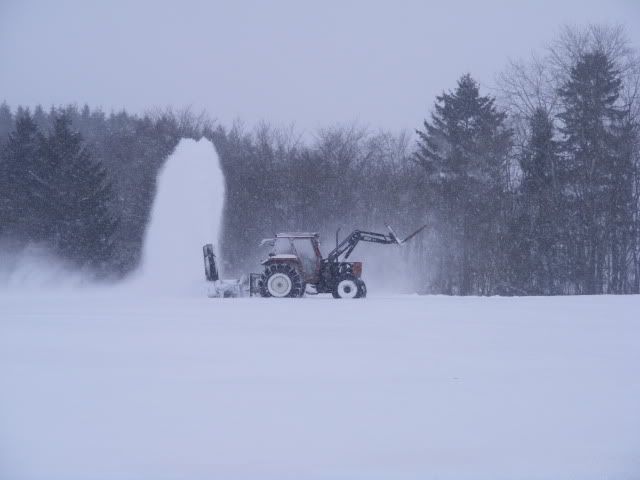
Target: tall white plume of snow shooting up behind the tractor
<point x="186" y="214"/>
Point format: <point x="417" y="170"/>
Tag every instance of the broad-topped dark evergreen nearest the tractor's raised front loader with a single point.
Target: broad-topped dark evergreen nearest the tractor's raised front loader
<point x="463" y="153"/>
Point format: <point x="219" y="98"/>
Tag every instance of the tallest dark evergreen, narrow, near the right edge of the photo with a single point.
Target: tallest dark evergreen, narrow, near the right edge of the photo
<point x="593" y="167"/>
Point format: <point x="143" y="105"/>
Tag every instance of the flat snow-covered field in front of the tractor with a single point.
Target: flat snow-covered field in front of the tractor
<point x="104" y="387"/>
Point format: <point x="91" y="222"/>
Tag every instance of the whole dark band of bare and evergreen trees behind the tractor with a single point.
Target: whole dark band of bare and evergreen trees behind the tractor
<point x="531" y="189"/>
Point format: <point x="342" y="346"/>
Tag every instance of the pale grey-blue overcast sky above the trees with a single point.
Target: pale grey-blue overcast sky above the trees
<point x="308" y="63"/>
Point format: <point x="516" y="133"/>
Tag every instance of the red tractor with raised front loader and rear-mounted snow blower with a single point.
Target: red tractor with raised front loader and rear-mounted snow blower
<point x="295" y="266"/>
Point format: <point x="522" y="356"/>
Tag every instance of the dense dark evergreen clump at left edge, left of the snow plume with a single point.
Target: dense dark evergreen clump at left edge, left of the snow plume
<point x="54" y="193"/>
